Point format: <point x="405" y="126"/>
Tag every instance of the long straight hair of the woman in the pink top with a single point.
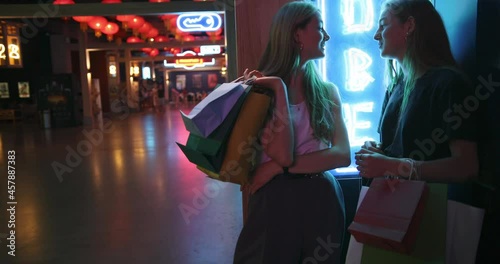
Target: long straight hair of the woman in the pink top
<point x="282" y="58"/>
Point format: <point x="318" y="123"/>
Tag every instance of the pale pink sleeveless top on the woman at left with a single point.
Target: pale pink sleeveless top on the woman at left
<point x="304" y="139"/>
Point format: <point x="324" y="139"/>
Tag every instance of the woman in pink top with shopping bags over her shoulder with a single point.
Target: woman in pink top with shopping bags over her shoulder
<point x="296" y="210"/>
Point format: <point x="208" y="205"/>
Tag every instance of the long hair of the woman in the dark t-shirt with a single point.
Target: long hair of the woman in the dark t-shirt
<point x="427" y="47"/>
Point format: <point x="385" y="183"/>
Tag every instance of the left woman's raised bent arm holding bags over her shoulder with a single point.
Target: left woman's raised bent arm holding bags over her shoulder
<point x="277" y="134"/>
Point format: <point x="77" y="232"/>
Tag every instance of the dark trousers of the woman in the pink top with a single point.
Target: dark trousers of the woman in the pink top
<point x="292" y="221"/>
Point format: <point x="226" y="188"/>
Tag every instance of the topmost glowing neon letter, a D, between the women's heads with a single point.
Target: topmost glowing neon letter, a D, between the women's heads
<point x="364" y="16"/>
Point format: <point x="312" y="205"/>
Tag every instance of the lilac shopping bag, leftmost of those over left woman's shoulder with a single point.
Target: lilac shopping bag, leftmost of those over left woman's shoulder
<point x="208" y="114"/>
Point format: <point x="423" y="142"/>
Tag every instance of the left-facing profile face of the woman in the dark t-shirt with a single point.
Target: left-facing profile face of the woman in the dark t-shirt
<point x="391" y="36"/>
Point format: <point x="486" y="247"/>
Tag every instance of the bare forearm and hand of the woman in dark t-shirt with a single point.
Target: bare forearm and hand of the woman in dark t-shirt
<point x="463" y="165"/>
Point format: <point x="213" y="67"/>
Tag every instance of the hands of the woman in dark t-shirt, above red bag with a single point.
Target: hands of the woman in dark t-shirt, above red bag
<point x="373" y="164"/>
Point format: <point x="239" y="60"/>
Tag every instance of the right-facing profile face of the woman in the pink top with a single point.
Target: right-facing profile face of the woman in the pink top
<point x="313" y="37"/>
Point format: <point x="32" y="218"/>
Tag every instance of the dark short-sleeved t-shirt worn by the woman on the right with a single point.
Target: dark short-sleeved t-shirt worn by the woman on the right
<point x="441" y="107"/>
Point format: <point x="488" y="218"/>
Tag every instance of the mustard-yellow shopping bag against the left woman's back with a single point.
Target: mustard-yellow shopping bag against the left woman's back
<point x="242" y="151"/>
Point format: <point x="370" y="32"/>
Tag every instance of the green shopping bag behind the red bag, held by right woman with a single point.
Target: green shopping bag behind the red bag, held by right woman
<point x="430" y="244"/>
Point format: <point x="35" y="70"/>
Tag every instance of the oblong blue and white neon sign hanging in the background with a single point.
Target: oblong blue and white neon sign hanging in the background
<point x="199" y="21"/>
